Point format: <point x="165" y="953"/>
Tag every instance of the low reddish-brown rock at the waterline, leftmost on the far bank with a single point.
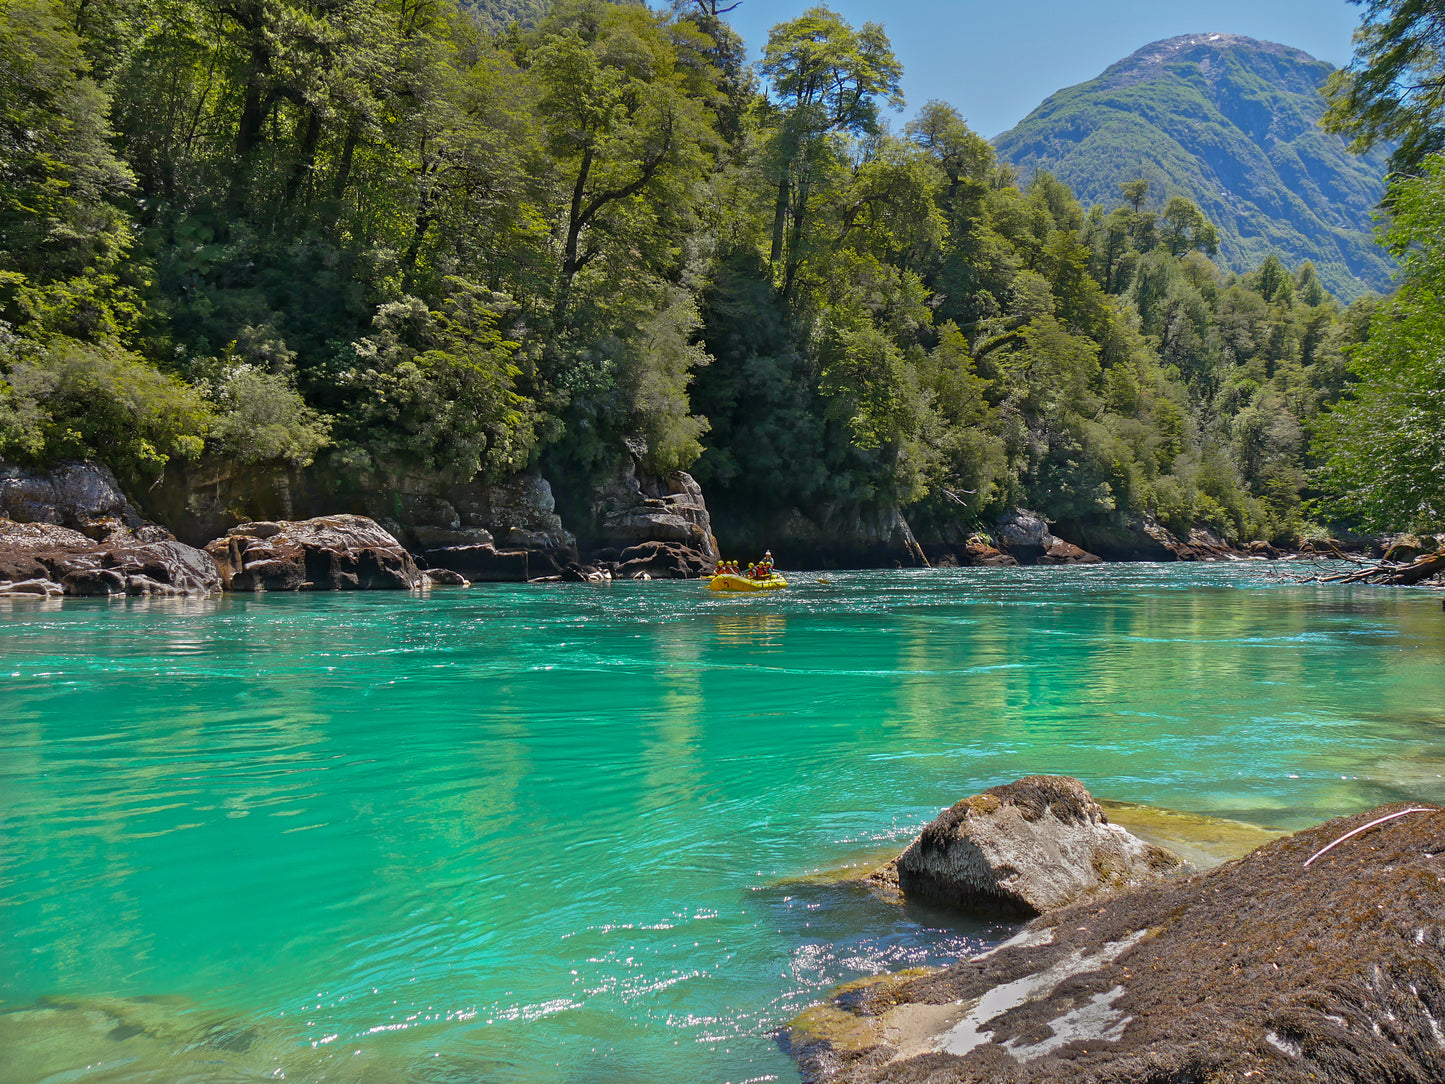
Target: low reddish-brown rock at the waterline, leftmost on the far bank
<point x="44" y="559"/>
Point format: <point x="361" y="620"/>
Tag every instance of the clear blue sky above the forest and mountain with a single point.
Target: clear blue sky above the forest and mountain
<point x="996" y="61"/>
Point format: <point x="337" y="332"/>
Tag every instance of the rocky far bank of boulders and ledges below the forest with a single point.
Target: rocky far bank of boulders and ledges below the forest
<point x="401" y="531"/>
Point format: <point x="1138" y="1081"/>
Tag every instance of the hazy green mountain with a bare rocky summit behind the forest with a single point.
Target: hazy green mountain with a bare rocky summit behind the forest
<point x="1232" y="124"/>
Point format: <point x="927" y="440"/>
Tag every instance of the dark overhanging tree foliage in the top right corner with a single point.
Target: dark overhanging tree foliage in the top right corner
<point x="1395" y="87"/>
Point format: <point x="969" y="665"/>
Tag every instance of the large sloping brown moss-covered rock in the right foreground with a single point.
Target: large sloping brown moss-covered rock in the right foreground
<point x="1319" y="958"/>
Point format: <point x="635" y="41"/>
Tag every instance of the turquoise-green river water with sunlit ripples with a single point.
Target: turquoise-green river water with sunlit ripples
<point x="557" y="835"/>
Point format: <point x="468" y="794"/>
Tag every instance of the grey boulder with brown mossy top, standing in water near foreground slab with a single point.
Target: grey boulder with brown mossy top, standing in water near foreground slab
<point x="1025" y="849"/>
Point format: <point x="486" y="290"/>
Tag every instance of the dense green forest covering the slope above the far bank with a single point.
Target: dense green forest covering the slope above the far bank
<point x="400" y="238"/>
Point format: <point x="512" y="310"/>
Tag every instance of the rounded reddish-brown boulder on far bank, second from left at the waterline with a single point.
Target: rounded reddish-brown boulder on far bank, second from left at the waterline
<point x="323" y="554"/>
